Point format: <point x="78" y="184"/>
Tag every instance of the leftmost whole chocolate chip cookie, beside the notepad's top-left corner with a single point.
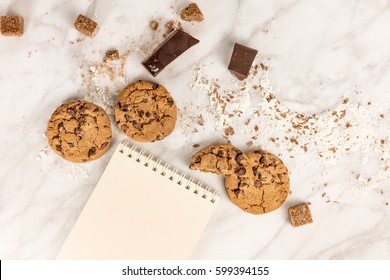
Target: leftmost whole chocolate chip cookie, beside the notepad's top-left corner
<point x="79" y="131"/>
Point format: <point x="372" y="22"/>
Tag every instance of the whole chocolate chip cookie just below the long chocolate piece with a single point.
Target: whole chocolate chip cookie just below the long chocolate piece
<point x="145" y="111"/>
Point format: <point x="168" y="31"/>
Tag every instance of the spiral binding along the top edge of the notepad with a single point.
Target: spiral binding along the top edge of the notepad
<point x="132" y="151"/>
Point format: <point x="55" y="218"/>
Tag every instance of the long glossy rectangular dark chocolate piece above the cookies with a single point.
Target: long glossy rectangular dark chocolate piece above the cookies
<point x="172" y="47"/>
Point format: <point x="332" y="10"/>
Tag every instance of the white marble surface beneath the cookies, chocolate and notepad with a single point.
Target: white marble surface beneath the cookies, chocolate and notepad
<point x="318" y="52"/>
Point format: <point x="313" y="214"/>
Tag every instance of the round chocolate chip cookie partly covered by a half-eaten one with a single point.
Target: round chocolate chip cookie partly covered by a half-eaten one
<point x="264" y="186"/>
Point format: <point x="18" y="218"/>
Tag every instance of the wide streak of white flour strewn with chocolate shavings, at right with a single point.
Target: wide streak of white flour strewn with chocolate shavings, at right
<point x="351" y="127"/>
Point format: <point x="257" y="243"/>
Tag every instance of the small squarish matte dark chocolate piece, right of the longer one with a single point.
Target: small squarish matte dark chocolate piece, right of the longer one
<point x="241" y="61"/>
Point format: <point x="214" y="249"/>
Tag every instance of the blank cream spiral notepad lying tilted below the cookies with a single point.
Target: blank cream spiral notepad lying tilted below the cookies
<point x="140" y="209"/>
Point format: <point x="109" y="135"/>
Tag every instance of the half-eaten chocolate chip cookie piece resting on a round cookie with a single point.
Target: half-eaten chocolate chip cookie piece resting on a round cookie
<point x="222" y="159"/>
